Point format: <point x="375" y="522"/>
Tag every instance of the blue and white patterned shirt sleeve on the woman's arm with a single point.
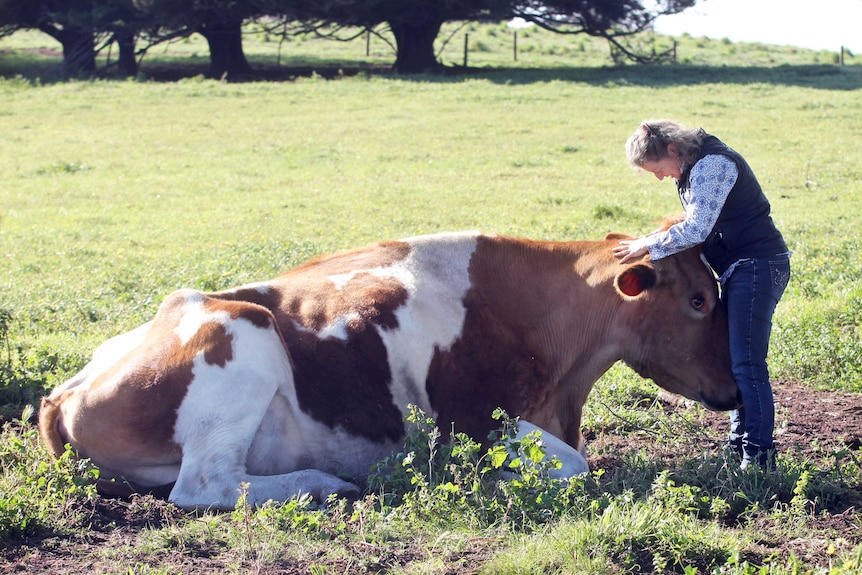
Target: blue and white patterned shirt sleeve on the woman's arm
<point x="711" y="178"/>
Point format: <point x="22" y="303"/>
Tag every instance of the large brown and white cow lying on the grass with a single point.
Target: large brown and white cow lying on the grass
<point x="291" y="384"/>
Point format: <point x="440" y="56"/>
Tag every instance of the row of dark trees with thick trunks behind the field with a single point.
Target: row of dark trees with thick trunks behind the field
<point x="85" y="26"/>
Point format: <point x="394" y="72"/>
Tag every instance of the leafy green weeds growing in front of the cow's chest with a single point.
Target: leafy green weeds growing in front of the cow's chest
<point x="457" y="482"/>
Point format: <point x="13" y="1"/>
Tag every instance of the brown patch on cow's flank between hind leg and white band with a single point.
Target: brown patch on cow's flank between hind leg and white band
<point x="344" y="382"/>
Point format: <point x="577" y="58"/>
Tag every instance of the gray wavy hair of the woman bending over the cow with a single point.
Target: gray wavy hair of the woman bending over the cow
<point x="649" y="142"/>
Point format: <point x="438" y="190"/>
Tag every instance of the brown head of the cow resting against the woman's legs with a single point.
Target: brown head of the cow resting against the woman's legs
<point x="677" y="328"/>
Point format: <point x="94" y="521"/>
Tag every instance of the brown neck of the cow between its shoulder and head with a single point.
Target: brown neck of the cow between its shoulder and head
<point x="561" y="299"/>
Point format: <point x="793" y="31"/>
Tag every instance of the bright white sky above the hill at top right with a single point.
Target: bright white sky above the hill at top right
<point x="816" y="24"/>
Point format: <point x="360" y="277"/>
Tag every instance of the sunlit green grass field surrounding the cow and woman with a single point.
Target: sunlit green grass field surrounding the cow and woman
<point x="117" y="192"/>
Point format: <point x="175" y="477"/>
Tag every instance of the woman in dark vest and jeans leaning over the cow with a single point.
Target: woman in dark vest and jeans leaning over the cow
<point x="727" y="212"/>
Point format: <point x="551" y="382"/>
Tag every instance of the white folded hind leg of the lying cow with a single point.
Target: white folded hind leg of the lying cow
<point x="219" y="417"/>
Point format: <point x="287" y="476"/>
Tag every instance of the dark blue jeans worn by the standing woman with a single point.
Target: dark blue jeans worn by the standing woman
<point x="751" y="293"/>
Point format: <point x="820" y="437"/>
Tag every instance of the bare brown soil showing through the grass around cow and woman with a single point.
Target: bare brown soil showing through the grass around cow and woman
<point x="808" y="424"/>
